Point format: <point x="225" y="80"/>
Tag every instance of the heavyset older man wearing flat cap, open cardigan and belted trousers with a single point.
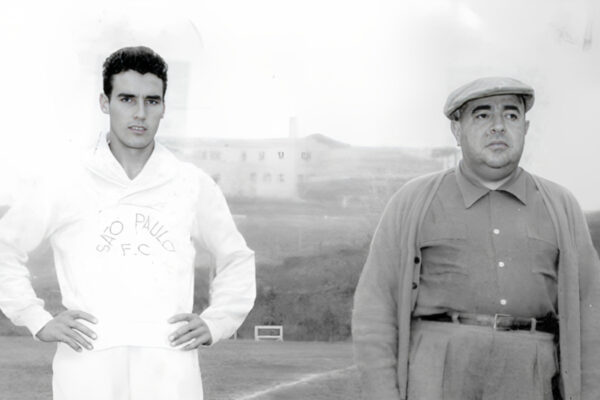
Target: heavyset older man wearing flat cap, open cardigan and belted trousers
<point x="482" y="281"/>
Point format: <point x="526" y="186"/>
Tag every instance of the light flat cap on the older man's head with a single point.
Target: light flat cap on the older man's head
<point x="485" y="87"/>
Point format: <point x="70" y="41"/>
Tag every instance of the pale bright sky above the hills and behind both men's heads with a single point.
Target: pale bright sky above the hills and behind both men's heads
<point x="369" y="73"/>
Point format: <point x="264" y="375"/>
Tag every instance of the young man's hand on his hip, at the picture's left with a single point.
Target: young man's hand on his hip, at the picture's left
<point x="66" y="328"/>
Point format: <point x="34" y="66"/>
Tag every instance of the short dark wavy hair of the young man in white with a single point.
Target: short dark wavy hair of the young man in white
<point x="140" y="58"/>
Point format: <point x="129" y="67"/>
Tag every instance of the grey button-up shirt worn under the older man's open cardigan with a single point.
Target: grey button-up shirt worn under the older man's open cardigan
<point x="488" y="251"/>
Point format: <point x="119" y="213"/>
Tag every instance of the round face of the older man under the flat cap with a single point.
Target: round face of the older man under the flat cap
<point x="491" y="132"/>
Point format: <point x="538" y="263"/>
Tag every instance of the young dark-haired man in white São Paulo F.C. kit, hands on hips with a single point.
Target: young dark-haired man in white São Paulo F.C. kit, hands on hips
<point x="123" y="226"/>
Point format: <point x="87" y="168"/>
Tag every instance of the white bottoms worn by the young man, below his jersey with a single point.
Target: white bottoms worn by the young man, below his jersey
<point x="126" y="373"/>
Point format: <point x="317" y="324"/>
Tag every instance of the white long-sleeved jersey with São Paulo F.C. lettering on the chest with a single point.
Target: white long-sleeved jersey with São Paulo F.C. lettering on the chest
<point x="124" y="251"/>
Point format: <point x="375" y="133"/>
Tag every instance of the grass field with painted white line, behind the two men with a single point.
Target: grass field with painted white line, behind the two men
<point x="232" y="370"/>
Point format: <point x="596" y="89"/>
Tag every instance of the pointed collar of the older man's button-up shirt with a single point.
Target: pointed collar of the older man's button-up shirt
<point x="472" y="190"/>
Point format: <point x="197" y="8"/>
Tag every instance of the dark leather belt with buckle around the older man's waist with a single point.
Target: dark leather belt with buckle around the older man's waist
<point x="498" y="322"/>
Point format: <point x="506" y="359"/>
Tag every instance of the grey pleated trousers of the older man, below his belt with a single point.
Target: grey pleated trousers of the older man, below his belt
<point x="449" y="361"/>
